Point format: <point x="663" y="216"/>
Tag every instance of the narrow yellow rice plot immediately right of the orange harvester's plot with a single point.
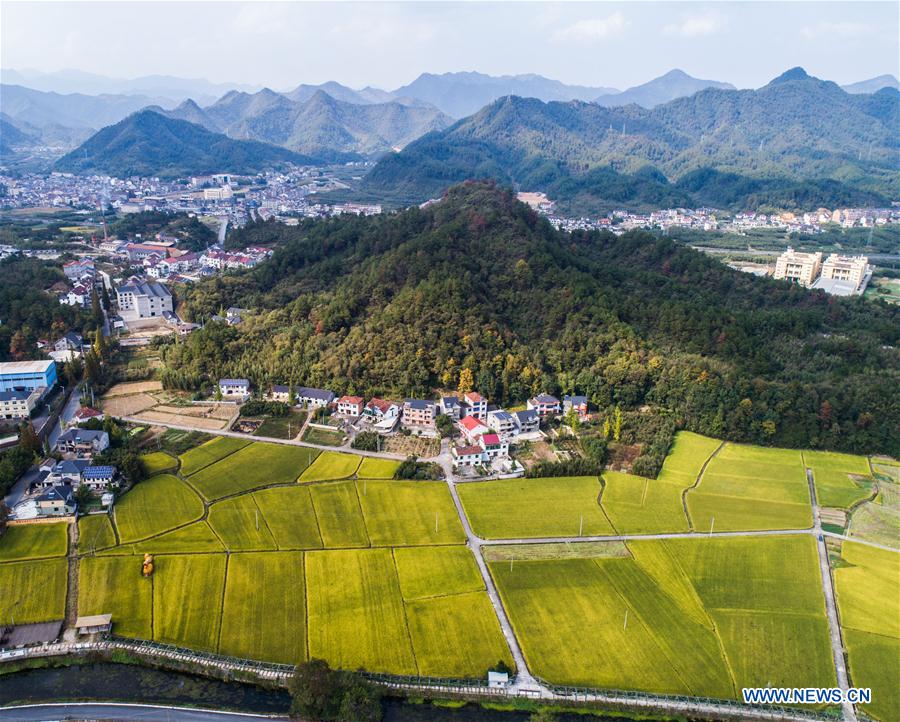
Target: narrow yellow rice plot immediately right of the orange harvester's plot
<point x="187" y="599"/>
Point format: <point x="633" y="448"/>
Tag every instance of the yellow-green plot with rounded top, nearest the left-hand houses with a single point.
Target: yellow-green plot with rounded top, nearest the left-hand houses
<point x="154" y="506"/>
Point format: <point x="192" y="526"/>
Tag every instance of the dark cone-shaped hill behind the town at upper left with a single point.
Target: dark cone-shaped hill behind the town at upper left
<point x="147" y="143"/>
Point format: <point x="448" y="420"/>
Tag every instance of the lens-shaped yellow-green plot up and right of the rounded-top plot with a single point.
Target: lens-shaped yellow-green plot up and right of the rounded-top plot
<point x="251" y="467"/>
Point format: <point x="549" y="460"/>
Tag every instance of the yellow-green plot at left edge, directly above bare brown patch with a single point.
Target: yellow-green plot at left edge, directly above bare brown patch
<point x="33" y="591"/>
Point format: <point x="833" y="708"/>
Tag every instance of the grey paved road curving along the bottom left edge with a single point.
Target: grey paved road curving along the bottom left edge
<point x="113" y="711"/>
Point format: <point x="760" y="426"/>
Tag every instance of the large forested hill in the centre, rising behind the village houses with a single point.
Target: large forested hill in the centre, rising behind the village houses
<point x="399" y="304"/>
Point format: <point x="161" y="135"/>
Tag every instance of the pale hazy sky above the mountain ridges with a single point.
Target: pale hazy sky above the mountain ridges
<point x="388" y="44"/>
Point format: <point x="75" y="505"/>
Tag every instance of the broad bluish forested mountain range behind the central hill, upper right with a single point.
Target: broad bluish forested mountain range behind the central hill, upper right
<point x="798" y="142"/>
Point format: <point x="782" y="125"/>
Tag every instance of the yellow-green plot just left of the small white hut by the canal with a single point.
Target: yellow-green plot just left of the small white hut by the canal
<point x="456" y="636"/>
